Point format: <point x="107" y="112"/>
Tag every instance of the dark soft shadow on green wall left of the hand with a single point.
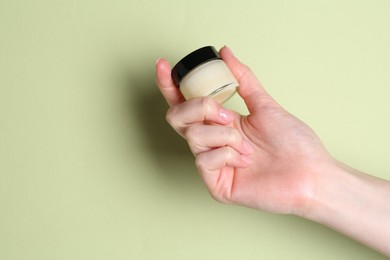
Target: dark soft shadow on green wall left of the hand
<point x="169" y="149"/>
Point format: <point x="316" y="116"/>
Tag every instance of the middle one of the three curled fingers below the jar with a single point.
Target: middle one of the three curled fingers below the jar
<point x="203" y="138"/>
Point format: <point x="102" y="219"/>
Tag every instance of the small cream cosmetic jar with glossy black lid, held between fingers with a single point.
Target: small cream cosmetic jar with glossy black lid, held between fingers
<point x="204" y="73"/>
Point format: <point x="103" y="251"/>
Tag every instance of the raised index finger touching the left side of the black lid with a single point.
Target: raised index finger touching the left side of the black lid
<point x="165" y="83"/>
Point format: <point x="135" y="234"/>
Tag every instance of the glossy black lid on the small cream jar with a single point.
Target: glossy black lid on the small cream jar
<point x="193" y="60"/>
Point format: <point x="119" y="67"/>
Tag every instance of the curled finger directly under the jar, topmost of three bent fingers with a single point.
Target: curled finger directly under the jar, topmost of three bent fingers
<point x="198" y="110"/>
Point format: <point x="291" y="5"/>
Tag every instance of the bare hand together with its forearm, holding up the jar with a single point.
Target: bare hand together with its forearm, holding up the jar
<point x="270" y="160"/>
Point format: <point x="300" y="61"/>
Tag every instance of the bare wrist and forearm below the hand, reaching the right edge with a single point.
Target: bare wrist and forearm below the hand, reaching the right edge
<point x="354" y="204"/>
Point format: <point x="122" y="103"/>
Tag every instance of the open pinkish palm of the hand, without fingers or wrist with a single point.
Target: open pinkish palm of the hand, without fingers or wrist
<point x="273" y="182"/>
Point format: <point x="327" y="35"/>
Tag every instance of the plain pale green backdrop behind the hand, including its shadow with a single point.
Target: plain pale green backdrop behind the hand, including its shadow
<point x="89" y="169"/>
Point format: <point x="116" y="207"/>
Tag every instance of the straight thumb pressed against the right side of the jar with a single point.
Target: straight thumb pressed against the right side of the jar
<point x="250" y="88"/>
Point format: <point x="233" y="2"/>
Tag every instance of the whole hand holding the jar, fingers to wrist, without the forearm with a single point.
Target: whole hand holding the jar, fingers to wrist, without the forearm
<point x="267" y="160"/>
